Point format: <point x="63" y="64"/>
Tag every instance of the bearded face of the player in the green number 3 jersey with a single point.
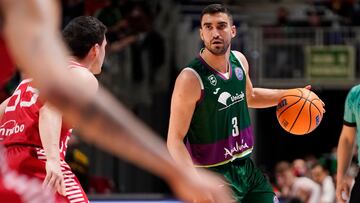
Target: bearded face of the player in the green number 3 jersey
<point x="216" y="32"/>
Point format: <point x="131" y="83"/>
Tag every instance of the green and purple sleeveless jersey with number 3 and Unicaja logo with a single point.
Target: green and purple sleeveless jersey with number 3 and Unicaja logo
<point x="220" y="130"/>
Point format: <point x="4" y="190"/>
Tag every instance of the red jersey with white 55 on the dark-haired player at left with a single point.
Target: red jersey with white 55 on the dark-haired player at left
<point x="20" y="122"/>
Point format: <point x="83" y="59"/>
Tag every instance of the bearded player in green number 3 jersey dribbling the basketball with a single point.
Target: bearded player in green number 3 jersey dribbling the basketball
<point x="209" y="107"/>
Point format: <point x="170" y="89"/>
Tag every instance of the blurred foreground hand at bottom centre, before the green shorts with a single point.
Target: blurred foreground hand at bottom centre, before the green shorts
<point x="203" y="187"/>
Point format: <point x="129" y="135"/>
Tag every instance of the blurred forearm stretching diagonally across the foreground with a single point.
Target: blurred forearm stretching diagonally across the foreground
<point x="115" y="129"/>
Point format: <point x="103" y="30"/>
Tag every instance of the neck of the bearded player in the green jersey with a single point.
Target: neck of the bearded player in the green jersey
<point x="217" y="62"/>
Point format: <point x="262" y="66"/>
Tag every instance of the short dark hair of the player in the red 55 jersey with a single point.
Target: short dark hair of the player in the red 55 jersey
<point x="82" y="33"/>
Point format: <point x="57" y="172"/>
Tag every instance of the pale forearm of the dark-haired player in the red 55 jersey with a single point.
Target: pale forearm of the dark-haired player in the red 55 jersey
<point x="50" y="129"/>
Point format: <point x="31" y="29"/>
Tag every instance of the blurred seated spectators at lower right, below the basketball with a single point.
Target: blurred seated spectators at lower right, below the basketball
<point x="309" y="179"/>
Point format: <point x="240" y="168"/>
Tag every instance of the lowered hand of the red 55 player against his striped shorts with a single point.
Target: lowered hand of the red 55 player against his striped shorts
<point x="54" y="178"/>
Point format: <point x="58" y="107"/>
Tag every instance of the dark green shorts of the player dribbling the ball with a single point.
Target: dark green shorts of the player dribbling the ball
<point x="248" y="182"/>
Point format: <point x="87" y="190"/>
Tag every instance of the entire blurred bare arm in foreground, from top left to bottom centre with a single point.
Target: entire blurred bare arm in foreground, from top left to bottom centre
<point x="31" y="34"/>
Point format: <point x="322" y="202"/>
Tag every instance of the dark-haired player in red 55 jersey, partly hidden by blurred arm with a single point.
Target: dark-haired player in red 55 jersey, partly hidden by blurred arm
<point x="33" y="131"/>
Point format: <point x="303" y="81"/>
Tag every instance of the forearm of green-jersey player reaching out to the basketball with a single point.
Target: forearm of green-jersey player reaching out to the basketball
<point x="263" y="97"/>
